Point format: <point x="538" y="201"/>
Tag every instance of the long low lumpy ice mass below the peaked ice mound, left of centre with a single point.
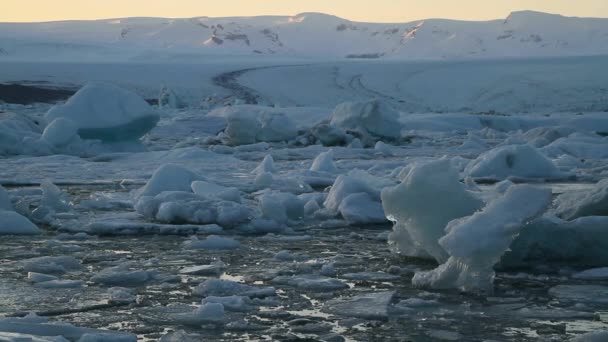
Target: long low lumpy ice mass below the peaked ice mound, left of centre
<point x="187" y="207"/>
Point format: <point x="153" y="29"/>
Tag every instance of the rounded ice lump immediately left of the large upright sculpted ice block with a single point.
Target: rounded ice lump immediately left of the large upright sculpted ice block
<point x="361" y="208"/>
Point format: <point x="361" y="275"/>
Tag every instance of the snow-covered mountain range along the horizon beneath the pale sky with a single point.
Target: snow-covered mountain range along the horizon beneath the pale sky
<point x="521" y="34"/>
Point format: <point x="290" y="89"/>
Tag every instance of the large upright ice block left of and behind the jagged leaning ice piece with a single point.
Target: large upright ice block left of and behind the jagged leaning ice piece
<point x="429" y="197"/>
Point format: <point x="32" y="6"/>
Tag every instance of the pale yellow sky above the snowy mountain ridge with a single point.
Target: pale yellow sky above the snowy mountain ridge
<point x="359" y="10"/>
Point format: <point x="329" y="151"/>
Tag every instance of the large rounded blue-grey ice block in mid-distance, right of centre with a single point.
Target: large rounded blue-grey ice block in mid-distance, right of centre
<point x="374" y="117"/>
